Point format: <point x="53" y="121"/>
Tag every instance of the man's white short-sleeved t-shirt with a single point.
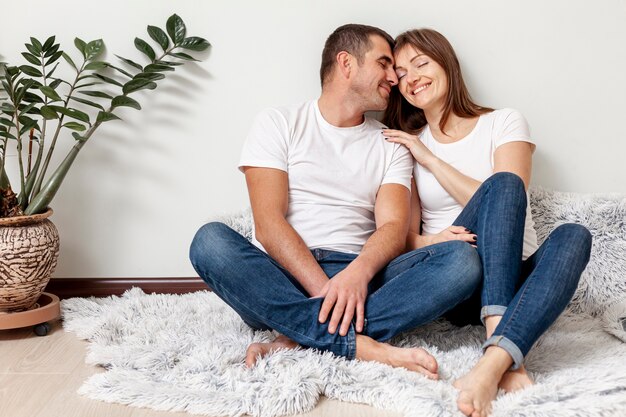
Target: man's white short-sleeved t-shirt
<point x="334" y="173"/>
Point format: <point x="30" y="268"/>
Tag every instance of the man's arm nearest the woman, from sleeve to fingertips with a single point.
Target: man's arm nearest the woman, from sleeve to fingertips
<point x="347" y="291"/>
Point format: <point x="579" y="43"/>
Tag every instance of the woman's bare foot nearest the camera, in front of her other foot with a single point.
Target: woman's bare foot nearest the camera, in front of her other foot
<point x="480" y="386"/>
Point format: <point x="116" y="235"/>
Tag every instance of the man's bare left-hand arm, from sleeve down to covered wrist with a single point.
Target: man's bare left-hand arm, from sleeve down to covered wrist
<point x="268" y="189"/>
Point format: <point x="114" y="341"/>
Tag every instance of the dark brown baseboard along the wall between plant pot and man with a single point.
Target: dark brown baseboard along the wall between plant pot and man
<point x="104" y="287"/>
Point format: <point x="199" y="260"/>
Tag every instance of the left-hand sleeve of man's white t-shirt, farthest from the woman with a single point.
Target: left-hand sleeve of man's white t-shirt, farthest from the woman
<point x="267" y="142"/>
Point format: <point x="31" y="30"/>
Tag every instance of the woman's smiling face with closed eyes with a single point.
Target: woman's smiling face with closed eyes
<point x="421" y="80"/>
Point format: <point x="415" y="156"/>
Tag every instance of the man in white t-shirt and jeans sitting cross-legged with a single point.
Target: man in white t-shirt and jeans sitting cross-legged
<point x="330" y="200"/>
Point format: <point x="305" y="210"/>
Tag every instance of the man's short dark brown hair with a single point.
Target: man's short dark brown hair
<point x="352" y="38"/>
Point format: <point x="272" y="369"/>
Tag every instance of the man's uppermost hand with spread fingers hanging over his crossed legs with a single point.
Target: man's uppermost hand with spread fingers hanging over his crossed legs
<point x="346" y="292"/>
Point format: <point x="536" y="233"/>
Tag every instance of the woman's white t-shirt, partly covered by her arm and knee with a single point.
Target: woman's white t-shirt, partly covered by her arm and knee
<point x="473" y="156"/>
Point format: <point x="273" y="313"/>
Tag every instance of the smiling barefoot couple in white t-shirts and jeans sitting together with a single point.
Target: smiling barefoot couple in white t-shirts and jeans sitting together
<point x="349" y="251"/>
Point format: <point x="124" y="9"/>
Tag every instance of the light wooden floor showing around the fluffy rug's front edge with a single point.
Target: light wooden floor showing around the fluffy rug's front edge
<point x="39" y="377"/>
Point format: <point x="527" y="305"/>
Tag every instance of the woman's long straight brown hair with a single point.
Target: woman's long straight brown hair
<point x="402" y="115"/>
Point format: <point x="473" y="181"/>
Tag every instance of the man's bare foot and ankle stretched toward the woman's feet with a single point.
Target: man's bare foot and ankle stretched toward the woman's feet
<point x="413" y="359"/>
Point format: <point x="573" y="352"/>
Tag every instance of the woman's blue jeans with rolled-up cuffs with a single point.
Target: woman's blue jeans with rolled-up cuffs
<point x="530" y="294"/>
